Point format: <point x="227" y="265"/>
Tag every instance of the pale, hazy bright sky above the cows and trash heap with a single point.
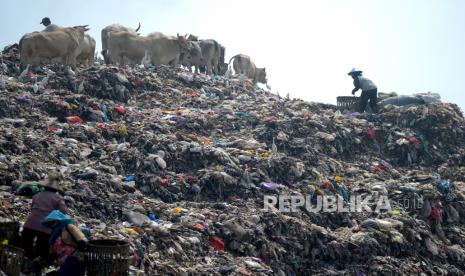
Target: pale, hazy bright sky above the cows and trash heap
<point x="306" y="46"/>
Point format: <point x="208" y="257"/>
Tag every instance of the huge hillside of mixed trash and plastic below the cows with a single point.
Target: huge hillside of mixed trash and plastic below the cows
<point x="178" y="165"/>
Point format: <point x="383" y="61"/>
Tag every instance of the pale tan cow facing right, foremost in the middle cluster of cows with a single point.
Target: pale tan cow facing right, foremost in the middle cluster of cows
<point x="124" y="47"/>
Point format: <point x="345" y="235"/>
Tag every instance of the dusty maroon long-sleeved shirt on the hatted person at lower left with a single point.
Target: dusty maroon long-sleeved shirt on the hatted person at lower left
<point x="42" y="204"/>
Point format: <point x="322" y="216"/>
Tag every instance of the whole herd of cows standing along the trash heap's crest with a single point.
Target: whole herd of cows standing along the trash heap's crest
<point x="122" y="45"/>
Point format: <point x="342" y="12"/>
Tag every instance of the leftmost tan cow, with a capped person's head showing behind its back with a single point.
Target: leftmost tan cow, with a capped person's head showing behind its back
<point x="45" y="47"/>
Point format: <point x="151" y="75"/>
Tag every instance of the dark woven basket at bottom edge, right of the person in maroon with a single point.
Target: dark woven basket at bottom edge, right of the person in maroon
<point x="107" y="257"/>
